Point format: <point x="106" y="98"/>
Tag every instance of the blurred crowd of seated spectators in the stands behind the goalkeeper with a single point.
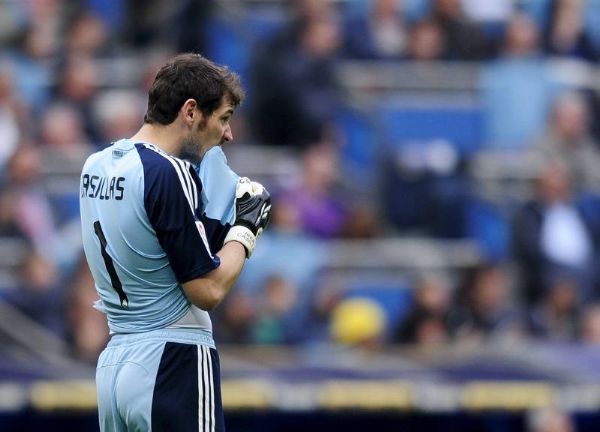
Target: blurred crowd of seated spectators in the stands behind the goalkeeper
<point x="74" y="76"/>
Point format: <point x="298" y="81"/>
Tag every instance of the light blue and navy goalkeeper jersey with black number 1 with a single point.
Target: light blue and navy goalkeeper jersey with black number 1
<point x="148" y="225"/>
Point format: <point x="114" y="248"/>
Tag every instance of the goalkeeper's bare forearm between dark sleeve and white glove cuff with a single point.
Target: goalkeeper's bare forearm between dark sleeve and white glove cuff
<point x="209" y="290"/>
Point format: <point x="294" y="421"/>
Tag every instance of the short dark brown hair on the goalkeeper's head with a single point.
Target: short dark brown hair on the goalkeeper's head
<point x="190" y="76"/>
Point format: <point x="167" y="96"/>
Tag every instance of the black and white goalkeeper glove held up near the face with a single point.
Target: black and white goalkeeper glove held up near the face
<point x="253" y="214"/>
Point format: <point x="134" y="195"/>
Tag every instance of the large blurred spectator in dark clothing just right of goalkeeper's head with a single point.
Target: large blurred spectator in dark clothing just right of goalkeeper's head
<point x="295" y="88"/>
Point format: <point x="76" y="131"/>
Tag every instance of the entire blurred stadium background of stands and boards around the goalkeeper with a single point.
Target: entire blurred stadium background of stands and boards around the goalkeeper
<point x="435" y="165"/>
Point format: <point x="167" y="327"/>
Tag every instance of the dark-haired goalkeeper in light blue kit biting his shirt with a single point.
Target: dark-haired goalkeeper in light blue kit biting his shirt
<point x="164" y="247"/>
